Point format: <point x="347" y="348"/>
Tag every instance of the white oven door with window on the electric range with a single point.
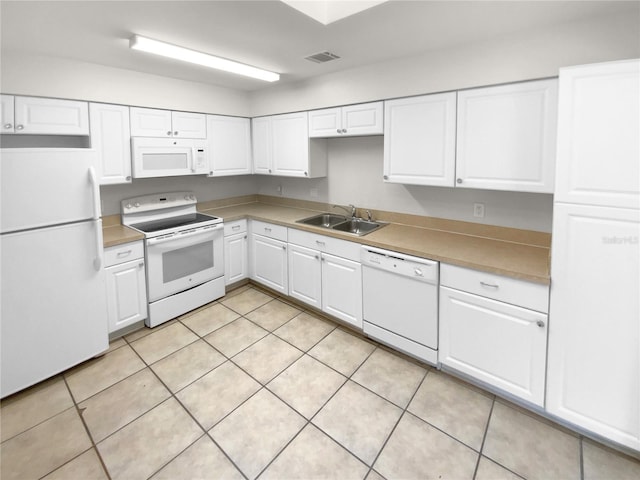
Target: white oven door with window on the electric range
<point x="184" y="260"/>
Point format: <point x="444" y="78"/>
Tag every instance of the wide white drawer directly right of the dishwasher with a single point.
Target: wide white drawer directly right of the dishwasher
<point x="510" y="290"/>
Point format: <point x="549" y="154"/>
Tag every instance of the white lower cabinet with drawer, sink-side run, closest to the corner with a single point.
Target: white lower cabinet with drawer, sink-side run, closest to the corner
<point x="268" y="256"/>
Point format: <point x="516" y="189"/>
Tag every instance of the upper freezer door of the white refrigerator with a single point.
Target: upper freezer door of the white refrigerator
<point x="41" y="188"/>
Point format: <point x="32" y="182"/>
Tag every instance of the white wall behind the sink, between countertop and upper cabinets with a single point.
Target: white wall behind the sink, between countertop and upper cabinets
<point x="355" y="176"/>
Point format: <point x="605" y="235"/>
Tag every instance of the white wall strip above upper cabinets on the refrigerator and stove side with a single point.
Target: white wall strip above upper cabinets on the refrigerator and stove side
<point x="64" y="78"/>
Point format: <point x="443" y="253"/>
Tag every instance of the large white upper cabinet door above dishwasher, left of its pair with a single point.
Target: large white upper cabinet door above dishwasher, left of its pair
<point x="419" y="140"/>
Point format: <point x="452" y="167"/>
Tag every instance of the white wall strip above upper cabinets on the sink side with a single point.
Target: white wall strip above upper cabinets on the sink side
<point x="522" y="56"/>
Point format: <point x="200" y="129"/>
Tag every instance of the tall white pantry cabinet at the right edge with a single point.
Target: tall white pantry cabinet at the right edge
<point x="593" y="378"/>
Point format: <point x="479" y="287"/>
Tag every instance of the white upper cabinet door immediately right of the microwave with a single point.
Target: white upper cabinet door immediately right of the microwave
<point x="229" y="141"/>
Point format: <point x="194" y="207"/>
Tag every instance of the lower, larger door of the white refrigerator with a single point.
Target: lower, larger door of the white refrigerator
<point x="54" y="312"/>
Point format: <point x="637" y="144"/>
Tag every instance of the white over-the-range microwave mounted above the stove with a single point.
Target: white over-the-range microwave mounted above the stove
<point x="168" y="157"/>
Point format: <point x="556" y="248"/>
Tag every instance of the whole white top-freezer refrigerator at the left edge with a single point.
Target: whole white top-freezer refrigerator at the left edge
<point x="52" y="284"/>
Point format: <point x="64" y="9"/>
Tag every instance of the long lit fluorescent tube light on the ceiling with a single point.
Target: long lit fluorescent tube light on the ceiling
<point x="144" y="44"/>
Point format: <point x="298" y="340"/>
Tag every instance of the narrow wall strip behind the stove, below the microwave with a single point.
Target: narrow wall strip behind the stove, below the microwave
<point x="206" y="189"/>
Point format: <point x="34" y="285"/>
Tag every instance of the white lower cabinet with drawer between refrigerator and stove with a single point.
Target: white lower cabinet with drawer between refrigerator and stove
<point x="126" y="285"/>
